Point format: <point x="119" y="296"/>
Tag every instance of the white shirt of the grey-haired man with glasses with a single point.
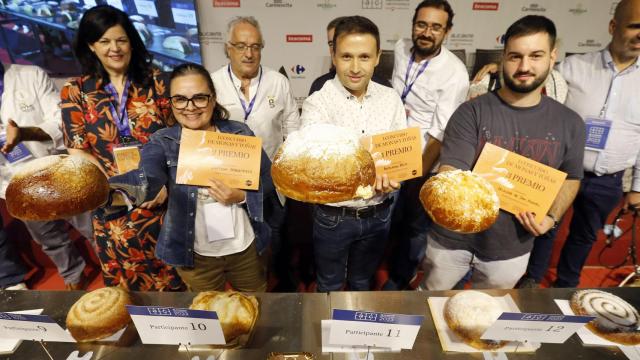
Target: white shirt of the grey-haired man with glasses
<point x="274" y="114"/>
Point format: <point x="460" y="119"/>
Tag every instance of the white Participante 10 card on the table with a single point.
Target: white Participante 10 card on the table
<point x="174" y="326"/>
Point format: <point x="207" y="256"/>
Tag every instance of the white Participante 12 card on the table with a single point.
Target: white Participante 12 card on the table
<point x="540" y="328"/>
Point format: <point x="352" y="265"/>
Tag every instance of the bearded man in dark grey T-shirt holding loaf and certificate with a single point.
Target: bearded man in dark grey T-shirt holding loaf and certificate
<point x="519" y="118"/>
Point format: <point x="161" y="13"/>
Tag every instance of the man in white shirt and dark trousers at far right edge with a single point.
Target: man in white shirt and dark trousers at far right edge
<point x="603" y="85"/>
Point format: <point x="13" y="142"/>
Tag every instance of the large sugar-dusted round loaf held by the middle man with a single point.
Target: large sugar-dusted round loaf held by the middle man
<point x="322" y="164"/>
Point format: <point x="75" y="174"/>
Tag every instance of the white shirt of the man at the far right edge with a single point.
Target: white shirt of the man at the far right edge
<point x="590" y="77"/>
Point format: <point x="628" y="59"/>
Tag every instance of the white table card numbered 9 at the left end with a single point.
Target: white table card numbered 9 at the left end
<point x="32" y="327"/>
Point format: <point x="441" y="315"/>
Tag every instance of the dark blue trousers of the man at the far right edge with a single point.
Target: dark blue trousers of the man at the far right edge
<point x="597" y="197"/>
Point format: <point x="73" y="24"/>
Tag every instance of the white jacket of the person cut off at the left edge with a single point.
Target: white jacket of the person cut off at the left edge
<point x="31" y="100"/>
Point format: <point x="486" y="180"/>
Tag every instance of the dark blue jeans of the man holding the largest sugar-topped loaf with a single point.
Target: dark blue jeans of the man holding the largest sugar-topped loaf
<point x="348" y="248"/>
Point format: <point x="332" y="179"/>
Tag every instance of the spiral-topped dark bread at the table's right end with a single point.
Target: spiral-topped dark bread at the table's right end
<point x="616" y="320"/>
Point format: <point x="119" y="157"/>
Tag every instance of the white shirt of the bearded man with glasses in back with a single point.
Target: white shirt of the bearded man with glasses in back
<point x="435" y="94"/>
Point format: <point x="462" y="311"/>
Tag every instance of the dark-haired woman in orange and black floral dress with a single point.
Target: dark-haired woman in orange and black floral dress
<point x="110" y="110"/>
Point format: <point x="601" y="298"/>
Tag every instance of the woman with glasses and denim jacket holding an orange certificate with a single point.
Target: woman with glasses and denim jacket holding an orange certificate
<point x="204" y="263"/>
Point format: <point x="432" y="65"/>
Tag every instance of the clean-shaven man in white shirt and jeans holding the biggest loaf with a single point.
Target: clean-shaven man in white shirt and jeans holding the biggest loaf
<point x="352" y="234"/>
